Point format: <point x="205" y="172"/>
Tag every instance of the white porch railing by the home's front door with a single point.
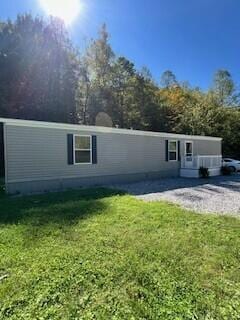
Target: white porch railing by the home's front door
<point x="195" y="162"/>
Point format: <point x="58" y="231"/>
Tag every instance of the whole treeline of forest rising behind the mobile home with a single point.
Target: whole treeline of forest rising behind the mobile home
<point x="43" y="76"/>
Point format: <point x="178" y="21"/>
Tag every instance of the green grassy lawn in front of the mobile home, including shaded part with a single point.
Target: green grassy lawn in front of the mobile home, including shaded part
<point x="96" y="254"/>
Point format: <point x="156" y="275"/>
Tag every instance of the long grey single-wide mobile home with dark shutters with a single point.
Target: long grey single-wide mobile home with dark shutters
<point x="41" y="156"/>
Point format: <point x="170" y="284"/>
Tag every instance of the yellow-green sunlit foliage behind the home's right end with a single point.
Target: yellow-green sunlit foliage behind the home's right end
<point x="191" y="111"/>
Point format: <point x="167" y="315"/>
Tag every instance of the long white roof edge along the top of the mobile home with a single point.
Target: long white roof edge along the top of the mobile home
<point x="77" y="127"/>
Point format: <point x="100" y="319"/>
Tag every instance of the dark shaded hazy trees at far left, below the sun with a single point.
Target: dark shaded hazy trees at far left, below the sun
<point x="39" y="70"/>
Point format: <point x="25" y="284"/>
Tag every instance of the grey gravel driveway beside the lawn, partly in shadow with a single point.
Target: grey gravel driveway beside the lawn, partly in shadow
<point x="218" y="195"/>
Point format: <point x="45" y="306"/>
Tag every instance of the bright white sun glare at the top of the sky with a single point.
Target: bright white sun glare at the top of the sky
<point x="67" y="10"/>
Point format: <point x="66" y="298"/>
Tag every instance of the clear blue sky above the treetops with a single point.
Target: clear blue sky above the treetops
<point x="192" y="38"/>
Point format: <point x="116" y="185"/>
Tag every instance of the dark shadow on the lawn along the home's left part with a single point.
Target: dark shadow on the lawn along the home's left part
<point x="59" y="207"/>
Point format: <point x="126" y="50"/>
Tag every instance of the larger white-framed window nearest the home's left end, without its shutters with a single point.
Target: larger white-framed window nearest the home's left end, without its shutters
<point x="82" y="149"/>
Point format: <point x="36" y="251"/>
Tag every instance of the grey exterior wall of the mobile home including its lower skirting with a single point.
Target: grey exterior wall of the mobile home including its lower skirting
<point x="38" y="153"/>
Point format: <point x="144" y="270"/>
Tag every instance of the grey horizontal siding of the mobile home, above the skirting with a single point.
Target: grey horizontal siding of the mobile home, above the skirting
<point x="41" y="153"/>
